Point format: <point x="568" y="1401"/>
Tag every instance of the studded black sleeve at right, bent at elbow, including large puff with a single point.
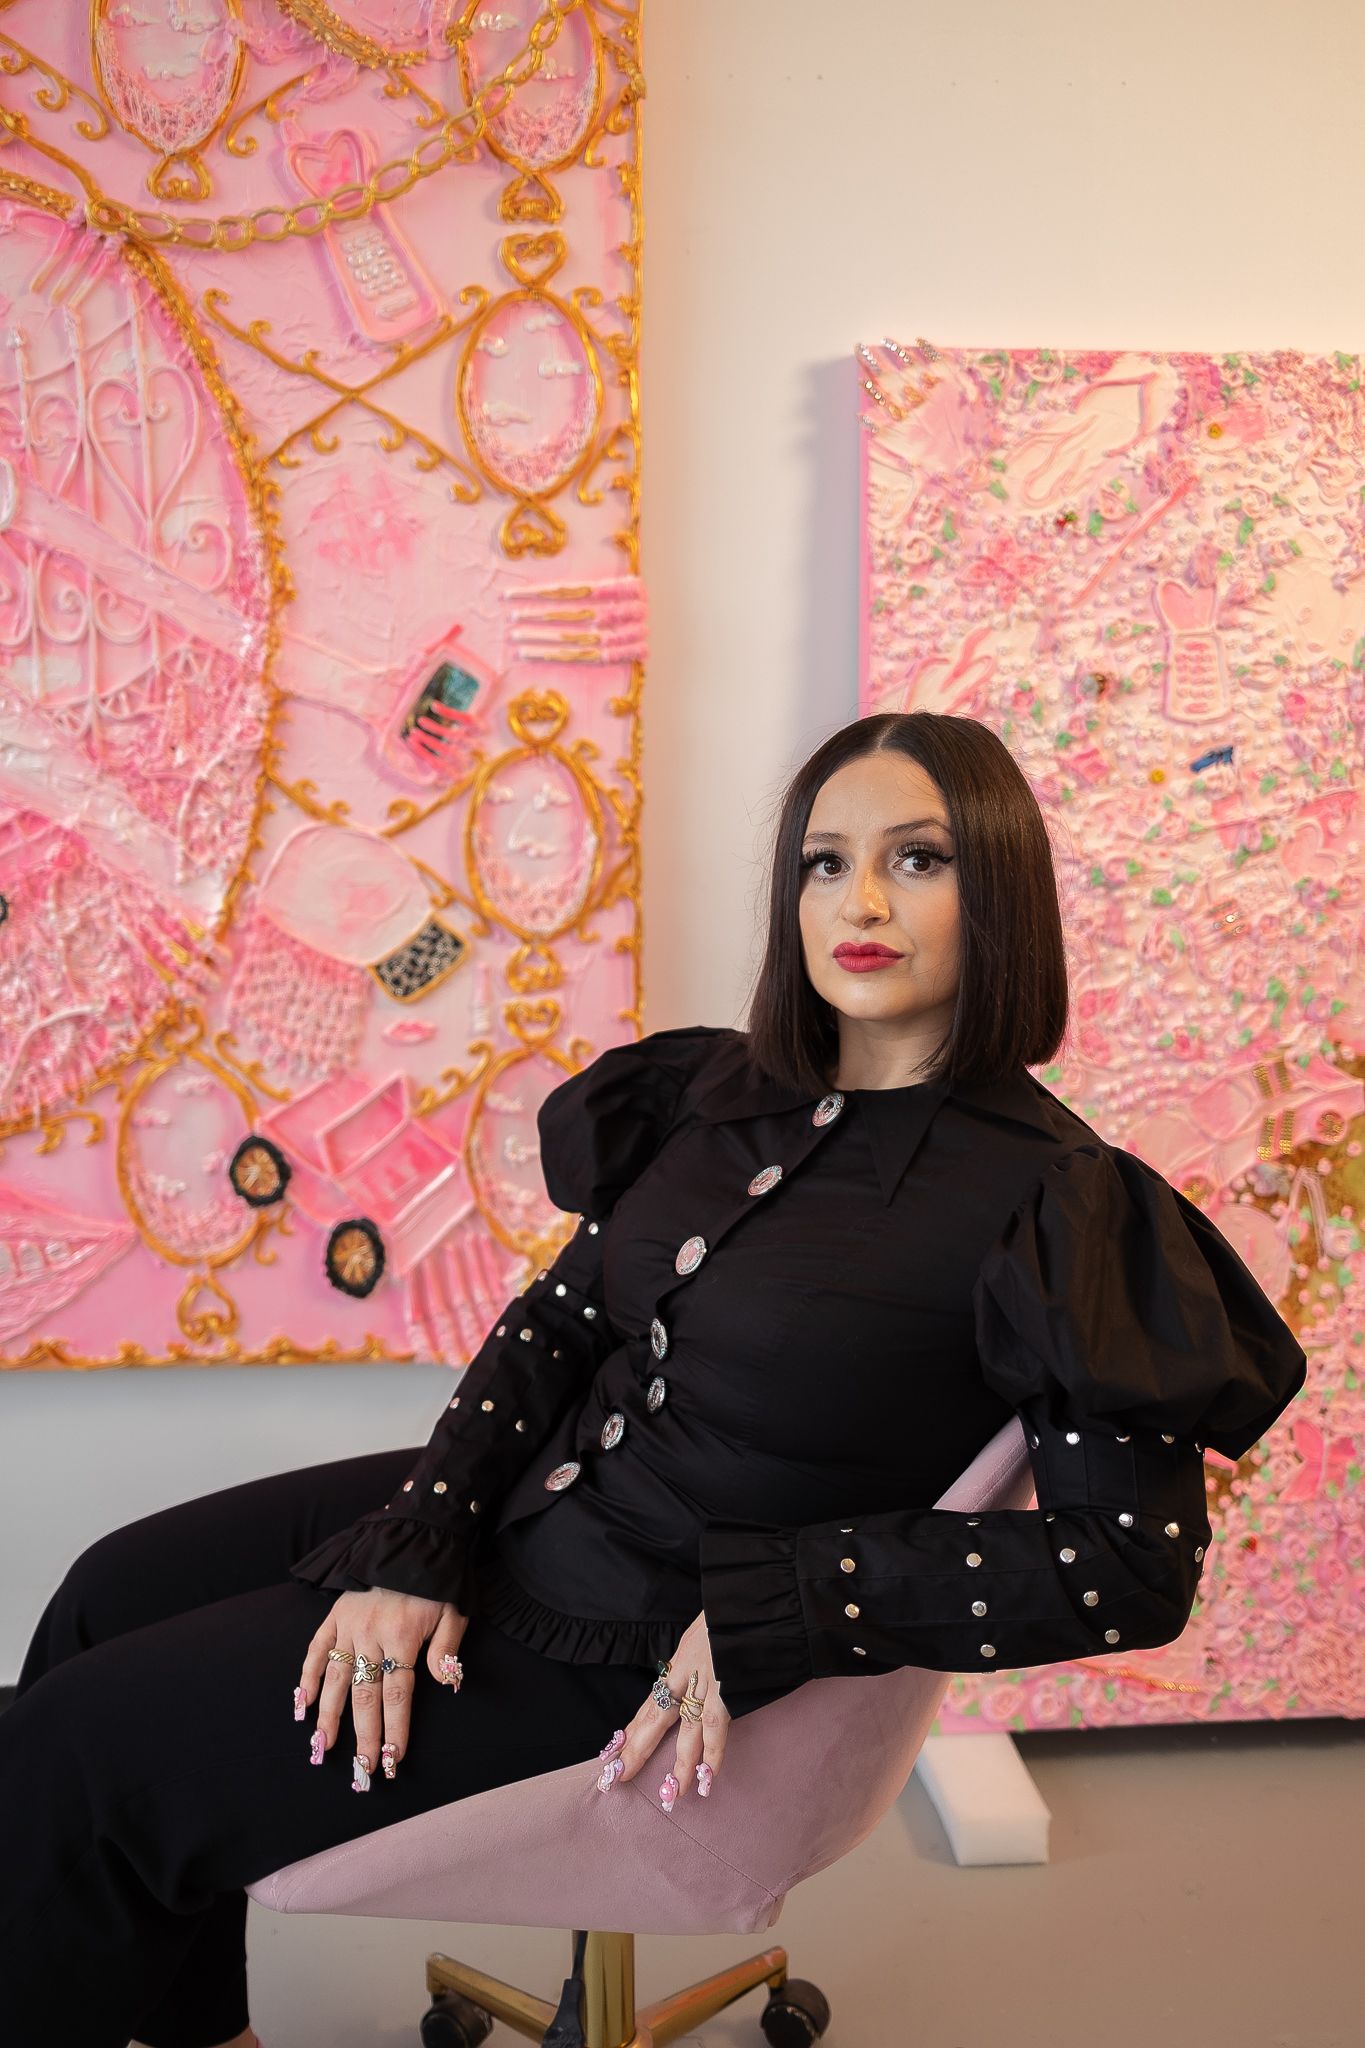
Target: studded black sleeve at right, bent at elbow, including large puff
<point x="1127" y="1334"/>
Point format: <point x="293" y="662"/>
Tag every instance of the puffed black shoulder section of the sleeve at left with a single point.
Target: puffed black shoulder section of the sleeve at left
<point x="605" y="1123"/>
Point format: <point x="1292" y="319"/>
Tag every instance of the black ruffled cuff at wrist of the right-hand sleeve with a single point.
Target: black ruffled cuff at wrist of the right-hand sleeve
<point x="752" y="1607"/>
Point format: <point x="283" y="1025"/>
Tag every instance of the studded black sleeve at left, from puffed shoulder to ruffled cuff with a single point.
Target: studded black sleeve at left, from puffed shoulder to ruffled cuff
<point x="599" y="1129"/>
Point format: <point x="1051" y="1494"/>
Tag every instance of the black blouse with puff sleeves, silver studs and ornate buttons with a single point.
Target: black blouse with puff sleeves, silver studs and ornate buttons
<point x="781" y="1330"/>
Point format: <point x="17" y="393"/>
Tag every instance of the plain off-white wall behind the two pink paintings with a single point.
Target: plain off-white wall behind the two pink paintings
<point x="1159" y="173"/>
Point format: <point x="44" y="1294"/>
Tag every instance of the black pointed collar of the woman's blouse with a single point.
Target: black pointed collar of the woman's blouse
<point x="895" y="1119"/>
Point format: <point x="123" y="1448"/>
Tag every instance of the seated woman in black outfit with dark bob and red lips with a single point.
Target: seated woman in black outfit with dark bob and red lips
<point x="816" y="1269"/>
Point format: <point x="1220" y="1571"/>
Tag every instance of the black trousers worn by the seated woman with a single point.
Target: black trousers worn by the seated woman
<point x="152" y="1766"/>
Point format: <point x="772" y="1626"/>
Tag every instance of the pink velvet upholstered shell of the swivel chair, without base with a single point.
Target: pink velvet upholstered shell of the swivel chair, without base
<point x="805" y="1781"/>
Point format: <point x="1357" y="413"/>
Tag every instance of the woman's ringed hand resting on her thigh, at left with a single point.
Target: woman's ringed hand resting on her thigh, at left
<point x="378" y="1625"/>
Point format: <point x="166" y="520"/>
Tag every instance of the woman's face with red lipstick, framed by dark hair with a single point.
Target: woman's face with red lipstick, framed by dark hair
<point x="879" y="871"/>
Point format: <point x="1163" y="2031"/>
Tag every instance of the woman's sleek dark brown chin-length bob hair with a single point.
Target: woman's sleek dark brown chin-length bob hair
<point x="1012" y="990"/>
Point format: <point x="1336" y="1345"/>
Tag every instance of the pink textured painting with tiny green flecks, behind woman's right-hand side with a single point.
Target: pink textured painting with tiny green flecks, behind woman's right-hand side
<point x="1147" y="574"/>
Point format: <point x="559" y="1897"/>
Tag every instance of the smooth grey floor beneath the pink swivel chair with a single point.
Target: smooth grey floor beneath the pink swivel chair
<point x="1204" y="1891"/>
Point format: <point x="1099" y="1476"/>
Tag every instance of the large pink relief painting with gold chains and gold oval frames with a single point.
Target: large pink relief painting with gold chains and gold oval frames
<point x="320" y="660"/>
